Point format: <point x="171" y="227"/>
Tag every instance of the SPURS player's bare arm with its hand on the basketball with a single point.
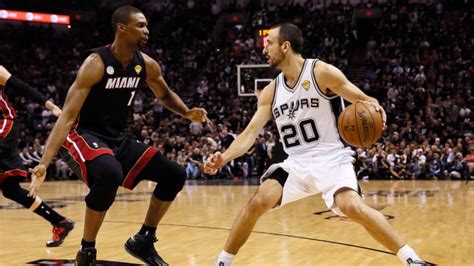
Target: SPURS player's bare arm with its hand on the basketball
<point x="331" y="78"/>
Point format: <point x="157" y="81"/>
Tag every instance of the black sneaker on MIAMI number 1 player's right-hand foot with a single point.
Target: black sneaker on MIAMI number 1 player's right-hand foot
<point x="142" y="248"/>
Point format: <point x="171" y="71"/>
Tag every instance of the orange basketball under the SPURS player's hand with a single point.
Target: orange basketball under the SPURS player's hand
<point x="360" y="125"/>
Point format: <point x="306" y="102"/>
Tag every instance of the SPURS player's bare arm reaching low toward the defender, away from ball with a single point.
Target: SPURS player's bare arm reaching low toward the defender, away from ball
<point x="246" y="139"/>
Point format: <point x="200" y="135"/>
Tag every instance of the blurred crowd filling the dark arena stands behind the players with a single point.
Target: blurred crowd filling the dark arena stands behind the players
<point x="416" y="59"/>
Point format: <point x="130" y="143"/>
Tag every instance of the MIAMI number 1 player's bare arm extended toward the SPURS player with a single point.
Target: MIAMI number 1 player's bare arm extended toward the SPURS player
<point x="170" y="99"/>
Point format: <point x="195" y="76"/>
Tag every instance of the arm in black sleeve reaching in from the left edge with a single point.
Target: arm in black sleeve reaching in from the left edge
<point x="17" y="86"/>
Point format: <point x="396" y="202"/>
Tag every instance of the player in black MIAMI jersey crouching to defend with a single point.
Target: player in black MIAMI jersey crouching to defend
<point x="89" y="134"/>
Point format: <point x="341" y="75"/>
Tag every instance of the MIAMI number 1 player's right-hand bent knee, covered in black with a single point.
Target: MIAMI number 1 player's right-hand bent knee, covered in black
<point x="170" y="184"/>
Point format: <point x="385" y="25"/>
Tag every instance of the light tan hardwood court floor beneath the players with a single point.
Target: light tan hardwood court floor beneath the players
<point x="436" y="217"/>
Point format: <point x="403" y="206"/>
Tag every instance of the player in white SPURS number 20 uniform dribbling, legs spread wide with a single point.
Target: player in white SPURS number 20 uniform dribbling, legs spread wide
<point x="303" y="99"/>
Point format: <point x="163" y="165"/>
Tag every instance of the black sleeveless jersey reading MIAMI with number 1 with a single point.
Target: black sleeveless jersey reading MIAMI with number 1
<point x="106" y="108"/>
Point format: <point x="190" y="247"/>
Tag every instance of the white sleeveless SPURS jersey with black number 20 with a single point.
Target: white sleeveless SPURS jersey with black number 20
<point x="305" y="117"/>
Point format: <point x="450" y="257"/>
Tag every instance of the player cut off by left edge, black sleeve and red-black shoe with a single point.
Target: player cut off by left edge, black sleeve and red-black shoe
<point x="12" y="170"/>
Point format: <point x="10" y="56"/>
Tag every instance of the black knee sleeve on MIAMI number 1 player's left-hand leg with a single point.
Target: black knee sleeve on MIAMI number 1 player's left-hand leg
<point x="106" y="175"/>
